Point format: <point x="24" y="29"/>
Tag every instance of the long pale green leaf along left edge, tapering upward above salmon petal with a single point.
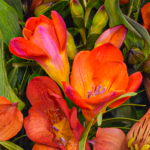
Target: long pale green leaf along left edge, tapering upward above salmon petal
<point x="5" y="89"/>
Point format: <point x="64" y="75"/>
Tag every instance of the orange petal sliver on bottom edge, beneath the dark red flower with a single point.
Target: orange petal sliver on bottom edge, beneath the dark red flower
<point x="43" y="147"/>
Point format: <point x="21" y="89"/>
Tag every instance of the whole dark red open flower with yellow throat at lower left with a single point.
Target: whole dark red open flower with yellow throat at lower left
<point x="50" y="123"/>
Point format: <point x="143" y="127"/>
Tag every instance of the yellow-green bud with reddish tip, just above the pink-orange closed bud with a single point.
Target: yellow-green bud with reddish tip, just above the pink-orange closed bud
<point x="100" y="20"/>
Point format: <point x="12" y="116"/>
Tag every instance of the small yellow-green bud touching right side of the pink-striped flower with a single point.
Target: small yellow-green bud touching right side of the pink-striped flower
<point x="71" y="47"/>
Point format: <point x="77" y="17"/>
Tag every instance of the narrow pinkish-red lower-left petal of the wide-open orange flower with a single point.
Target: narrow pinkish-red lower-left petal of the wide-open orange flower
<point x="74" y="96"/>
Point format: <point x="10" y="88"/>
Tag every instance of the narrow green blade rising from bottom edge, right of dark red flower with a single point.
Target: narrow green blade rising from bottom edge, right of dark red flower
<point x="84" y="136"/>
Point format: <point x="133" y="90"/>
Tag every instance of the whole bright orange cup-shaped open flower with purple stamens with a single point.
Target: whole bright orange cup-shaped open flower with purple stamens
<point x="98" y="77"/>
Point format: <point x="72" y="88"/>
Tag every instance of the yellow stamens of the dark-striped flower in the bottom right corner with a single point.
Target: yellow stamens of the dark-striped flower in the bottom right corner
<point x="135" y="147"/>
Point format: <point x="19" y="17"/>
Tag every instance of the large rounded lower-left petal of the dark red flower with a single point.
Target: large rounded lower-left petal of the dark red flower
<point x="38" y="124"/>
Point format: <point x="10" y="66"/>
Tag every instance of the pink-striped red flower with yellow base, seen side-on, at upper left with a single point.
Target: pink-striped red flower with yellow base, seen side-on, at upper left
<point x="45" y="42"/>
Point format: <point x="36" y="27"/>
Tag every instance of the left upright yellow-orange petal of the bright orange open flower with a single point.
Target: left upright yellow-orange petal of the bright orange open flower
<point x="81" y="76"/>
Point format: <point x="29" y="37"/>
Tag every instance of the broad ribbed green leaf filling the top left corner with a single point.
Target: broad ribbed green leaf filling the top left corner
<point x="9" y="25"/>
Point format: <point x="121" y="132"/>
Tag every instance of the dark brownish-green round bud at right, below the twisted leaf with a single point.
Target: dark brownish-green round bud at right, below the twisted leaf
<point x="135" y="56"/>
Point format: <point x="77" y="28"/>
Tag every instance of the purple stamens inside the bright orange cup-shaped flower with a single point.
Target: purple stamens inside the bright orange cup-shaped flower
<point x="96" y="90"/>
